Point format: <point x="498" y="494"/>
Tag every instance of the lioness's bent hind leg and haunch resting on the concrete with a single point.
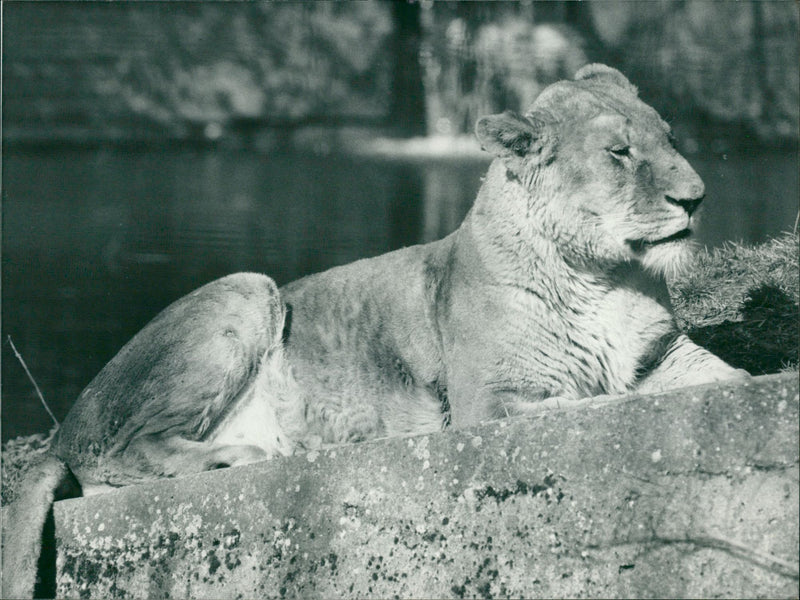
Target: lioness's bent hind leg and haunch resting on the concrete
<point x="204" y="385"/>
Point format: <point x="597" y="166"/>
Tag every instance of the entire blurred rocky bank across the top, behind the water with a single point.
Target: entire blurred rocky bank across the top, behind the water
<point x="249" y="71"/>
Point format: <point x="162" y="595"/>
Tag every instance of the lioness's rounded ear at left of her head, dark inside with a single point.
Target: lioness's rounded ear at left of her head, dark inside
<point x="509" y="135"/>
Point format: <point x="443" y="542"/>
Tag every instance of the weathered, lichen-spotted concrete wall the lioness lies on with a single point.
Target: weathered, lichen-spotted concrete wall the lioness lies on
<point x="693" y="493"/>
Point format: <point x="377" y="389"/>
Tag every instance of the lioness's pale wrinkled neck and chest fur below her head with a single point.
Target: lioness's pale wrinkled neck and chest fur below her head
<point x="598" y="323"/>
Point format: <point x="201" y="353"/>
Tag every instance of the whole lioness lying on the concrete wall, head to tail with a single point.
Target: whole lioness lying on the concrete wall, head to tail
<point x="552" y="287"/>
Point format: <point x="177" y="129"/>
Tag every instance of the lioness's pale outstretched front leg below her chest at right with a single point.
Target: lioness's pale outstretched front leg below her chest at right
<point x="685" y="363"/>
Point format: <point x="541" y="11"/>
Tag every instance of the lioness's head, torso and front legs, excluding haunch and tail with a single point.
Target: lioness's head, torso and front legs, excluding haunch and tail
<point x="553" y="287"/>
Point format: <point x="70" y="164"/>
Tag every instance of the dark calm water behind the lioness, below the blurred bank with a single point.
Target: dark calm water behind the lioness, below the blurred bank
<point x="96" y="242"/>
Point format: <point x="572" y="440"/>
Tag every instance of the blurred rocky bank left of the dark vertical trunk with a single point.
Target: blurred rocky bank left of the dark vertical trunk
<point x="134" y="70"/>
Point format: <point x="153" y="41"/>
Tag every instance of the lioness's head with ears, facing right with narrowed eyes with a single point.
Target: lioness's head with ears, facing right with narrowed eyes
<point x="600" y="172"/>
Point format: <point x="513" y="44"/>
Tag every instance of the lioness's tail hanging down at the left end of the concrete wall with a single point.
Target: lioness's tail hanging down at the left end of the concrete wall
<point x="28" y="567"/>
